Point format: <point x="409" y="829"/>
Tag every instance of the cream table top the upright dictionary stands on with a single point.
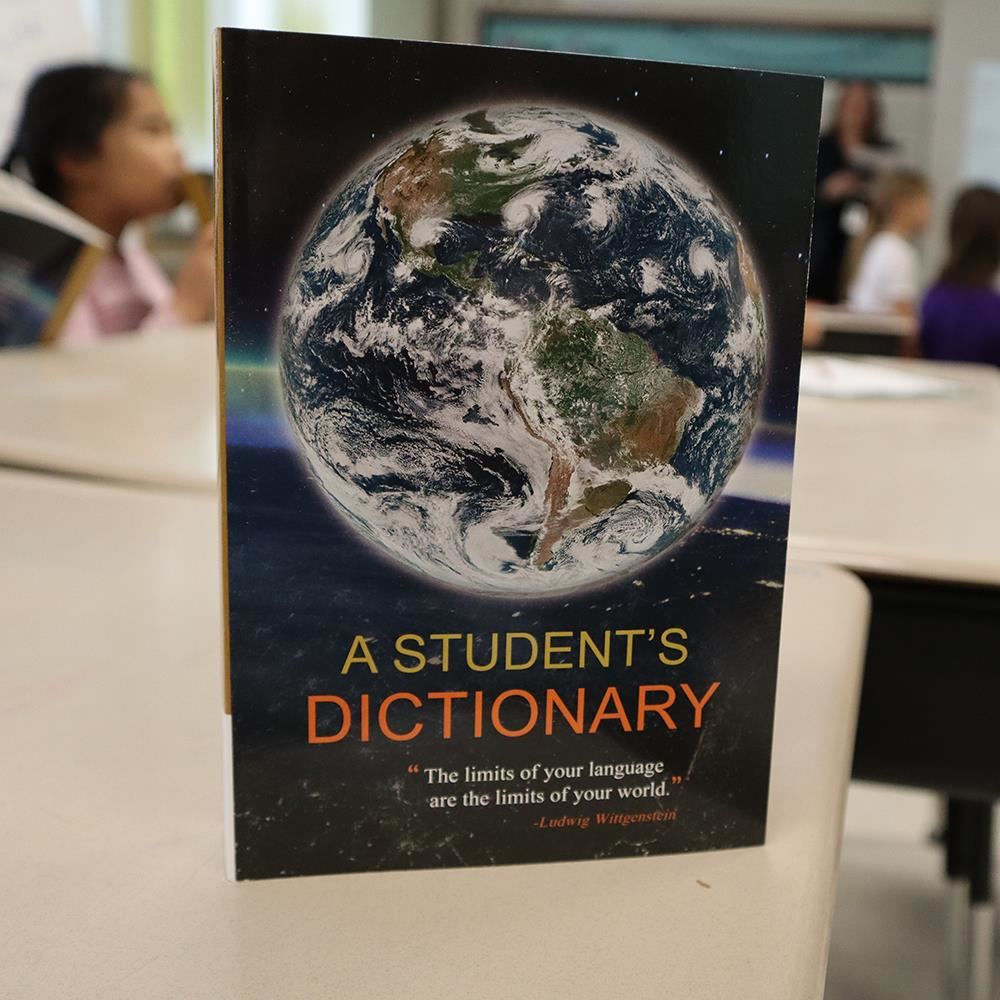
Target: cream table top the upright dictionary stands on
<point x="112" y="868"/>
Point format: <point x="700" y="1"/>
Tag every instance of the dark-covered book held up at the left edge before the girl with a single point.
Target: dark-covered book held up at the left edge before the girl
<point x="46" y="256"/>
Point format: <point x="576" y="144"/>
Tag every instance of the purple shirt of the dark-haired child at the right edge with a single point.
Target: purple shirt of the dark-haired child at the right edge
<point x="961" y="324"/>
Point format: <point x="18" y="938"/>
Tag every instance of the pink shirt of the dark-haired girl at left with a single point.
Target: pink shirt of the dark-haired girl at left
<point x="127" y="291"/>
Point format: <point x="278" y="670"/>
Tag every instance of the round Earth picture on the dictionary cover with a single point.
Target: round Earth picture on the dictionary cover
<point x="522" y="349"/>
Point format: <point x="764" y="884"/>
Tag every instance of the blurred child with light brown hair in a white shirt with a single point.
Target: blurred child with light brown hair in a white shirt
<point x="882" y="272"/>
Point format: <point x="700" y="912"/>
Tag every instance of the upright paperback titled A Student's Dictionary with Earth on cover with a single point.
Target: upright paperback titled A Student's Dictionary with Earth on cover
<point x="510" y="349"/>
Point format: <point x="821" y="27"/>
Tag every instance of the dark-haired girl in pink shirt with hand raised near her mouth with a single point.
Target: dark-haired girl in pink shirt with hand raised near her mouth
<point x="98" y="140"/>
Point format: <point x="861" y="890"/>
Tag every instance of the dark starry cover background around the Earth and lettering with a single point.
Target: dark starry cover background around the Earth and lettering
<point x="299" y="113"/>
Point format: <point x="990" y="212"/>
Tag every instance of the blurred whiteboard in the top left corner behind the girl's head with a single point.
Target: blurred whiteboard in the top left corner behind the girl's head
<point x="35" y="34"/>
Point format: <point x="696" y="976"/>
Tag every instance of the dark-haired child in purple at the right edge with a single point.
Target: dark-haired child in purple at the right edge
<point x="960" y="317"/>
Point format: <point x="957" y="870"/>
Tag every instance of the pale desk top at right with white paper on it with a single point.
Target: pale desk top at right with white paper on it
<point x="905" y="487"/>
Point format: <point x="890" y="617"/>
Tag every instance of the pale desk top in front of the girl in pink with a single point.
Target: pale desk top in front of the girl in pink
<point x="137" y="408"/>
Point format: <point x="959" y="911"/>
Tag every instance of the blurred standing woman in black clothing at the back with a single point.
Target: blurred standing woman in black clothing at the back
<point x="850" y="153"/>
